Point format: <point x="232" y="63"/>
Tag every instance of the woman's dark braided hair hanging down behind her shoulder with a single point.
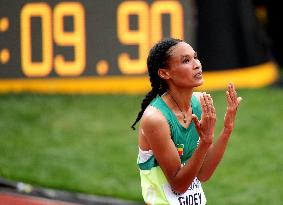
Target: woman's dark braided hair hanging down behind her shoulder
<point x="157" y="58"/>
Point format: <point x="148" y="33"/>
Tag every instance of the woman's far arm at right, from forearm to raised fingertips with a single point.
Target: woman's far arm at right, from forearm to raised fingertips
<point x="216" y="151"/>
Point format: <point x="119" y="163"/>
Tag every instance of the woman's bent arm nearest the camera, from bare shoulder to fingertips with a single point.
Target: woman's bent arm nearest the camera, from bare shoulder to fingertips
<point x="156" y="132"/>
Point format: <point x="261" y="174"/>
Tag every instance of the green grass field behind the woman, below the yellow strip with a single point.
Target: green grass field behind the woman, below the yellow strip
<point x="84" y="143"/>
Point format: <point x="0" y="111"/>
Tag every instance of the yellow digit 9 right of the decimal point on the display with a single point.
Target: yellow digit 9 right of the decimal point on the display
<point x="138" y="37"/>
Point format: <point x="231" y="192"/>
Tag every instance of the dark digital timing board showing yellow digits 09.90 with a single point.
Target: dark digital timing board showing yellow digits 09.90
<point x="42" y="39"/>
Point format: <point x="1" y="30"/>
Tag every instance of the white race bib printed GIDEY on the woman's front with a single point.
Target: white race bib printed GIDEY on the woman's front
<point x="193" y="196"/>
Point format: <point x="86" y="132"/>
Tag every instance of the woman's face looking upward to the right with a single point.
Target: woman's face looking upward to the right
<point x="184" y="68"/>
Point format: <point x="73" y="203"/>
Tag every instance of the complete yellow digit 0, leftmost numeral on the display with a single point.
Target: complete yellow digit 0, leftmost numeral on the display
<point x="36" y="69"/>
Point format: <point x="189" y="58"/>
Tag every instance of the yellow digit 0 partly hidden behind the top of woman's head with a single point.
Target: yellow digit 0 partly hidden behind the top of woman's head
<point x="175" y="10"/>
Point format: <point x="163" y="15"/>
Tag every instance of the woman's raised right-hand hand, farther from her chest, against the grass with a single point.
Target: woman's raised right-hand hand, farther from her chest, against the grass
<point x="233" y="103"/>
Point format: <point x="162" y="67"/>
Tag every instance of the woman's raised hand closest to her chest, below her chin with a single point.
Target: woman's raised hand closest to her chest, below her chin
<point x="205" y="127"/>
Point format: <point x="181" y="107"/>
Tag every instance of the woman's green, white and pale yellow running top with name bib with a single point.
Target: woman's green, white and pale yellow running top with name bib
<point x="155" y="188"/>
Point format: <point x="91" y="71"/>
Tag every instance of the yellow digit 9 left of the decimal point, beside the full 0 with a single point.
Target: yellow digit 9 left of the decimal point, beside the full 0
<point x="75" y="38"/>
